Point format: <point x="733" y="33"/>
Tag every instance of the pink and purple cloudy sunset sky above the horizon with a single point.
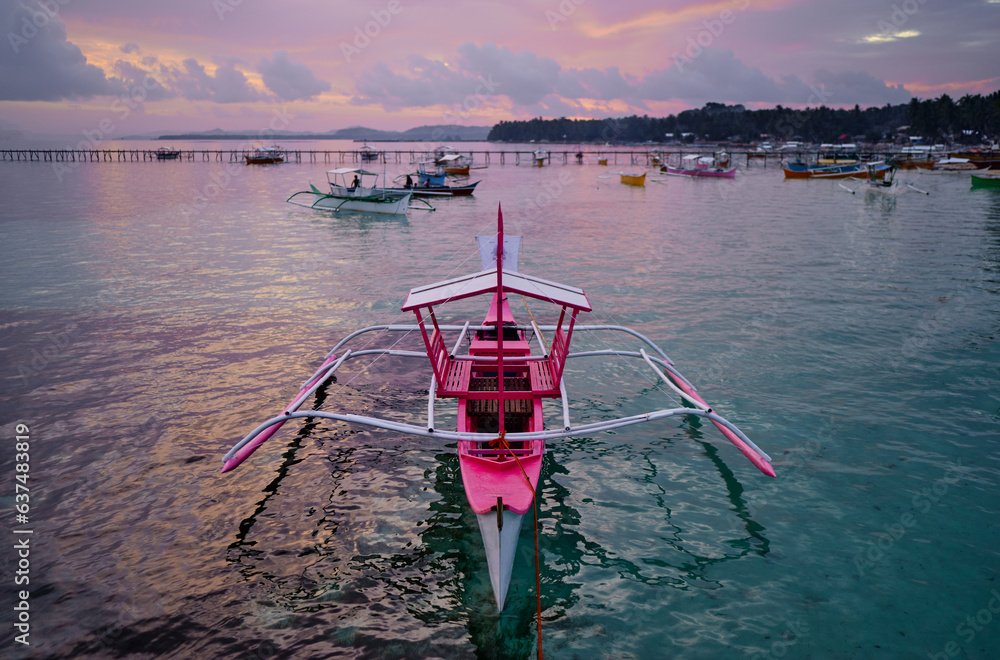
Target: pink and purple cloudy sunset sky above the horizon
<point x="188" y="65"/>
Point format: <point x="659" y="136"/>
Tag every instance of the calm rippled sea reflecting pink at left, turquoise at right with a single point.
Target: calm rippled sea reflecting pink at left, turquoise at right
<point x="153" y="313"/>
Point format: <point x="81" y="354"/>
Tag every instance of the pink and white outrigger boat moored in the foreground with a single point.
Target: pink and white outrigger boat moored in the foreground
<point x="501" y="430"/>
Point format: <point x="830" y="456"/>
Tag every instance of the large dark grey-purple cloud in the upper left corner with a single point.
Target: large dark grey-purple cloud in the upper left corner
<point x="37" y="63"/>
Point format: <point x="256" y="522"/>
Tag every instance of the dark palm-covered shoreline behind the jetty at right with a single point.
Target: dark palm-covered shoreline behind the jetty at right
<point x="969" y="120"/>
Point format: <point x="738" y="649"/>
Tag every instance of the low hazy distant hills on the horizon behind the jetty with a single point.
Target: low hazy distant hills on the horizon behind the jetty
<point x="447" y="133"/>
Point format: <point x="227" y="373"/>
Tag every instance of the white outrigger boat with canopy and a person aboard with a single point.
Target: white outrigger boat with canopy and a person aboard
<point x="354" y="189"/>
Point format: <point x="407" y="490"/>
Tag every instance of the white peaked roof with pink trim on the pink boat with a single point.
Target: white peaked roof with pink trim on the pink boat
<point x="485" y="281"/>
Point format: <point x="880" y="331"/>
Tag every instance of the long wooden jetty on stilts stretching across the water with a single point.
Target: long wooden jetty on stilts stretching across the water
<point x="484" y="157"/>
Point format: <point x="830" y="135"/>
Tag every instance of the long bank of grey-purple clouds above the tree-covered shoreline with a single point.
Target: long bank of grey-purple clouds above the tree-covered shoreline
<point x="532" y="82"/>
